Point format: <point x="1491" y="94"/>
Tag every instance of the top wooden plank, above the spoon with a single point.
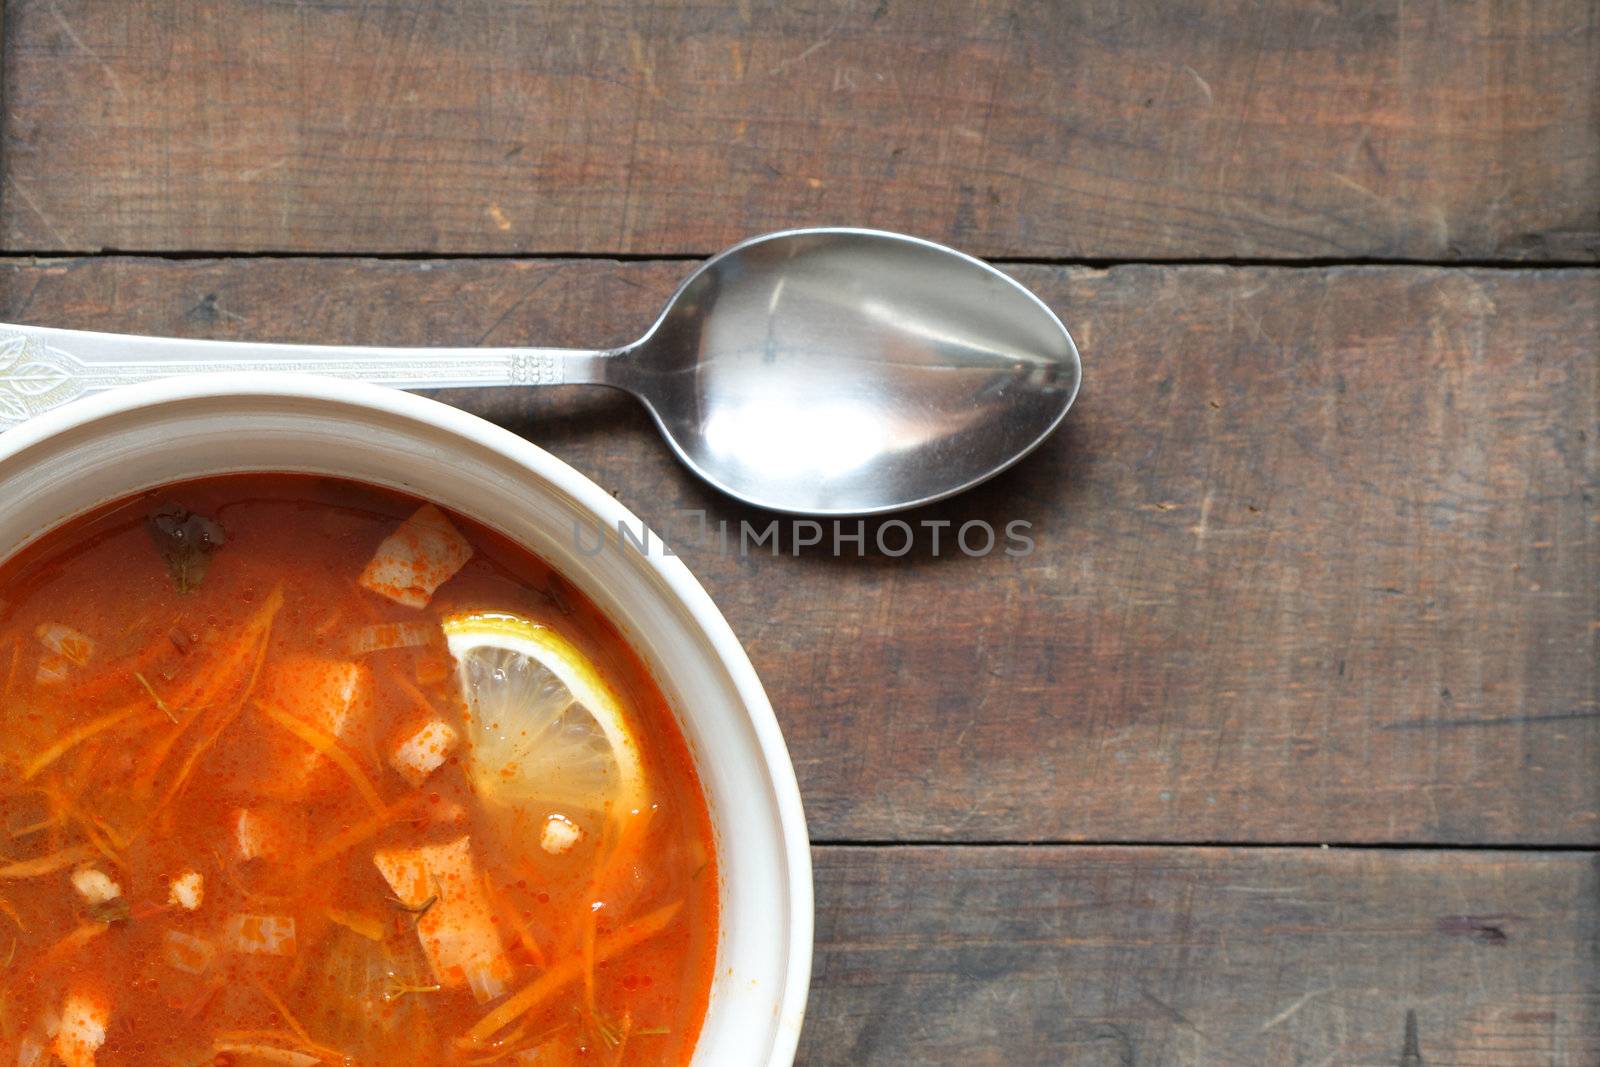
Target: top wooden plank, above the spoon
<point x="1126" y="130"/>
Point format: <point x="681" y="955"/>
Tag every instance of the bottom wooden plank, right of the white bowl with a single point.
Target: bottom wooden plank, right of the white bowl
<point x="1090" y="957"/>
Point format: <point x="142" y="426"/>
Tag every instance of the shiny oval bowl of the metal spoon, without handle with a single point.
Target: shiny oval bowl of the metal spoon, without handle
<point x="852" y="372"/>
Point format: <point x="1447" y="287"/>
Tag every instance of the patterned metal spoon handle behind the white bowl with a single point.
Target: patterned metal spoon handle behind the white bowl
<point x="44" y="369"/>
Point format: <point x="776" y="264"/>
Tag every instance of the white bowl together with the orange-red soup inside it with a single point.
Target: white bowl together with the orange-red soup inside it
<point x="330" y="737"/>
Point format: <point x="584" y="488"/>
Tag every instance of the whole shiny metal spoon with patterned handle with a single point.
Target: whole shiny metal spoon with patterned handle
<point x="826" y="372"/>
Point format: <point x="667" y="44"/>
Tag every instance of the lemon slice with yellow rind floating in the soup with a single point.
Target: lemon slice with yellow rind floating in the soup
<point x="543" y="724"/>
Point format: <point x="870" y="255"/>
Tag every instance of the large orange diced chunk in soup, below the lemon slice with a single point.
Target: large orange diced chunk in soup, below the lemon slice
<point x="457" y="930"/>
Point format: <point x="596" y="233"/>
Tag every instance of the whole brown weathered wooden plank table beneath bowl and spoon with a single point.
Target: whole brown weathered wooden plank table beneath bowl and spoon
<point x="1287" y="732"/>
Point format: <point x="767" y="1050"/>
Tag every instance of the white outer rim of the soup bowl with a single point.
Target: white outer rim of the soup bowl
<point x="580" y="489"/>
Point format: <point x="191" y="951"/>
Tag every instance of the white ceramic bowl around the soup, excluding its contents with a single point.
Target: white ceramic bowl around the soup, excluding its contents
<point x="95" y="450"/>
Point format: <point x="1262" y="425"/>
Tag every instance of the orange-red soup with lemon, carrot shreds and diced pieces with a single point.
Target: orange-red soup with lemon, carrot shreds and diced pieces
<point x="305" y="772"/>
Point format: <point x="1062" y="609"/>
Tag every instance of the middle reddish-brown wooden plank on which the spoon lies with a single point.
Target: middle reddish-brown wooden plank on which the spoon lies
<point x="1314" y="557"/>
